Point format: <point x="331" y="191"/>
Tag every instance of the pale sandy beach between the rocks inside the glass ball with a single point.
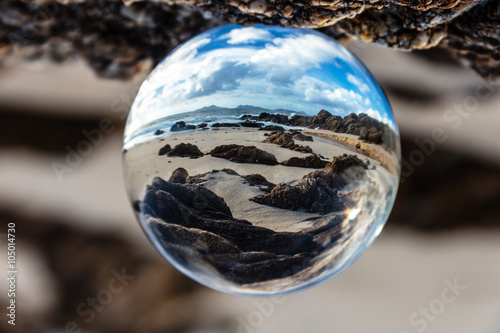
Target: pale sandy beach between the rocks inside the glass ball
<point x="144" y="163"/>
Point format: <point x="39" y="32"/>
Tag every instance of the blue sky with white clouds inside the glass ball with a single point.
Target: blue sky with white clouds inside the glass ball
<point x="269" y="67"/>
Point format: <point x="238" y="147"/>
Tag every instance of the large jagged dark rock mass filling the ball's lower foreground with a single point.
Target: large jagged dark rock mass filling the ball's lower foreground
<point x="193" y="223"/>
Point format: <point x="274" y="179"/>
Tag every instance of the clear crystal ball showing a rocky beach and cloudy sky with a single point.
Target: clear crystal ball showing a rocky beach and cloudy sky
<point x="261" y="160"/>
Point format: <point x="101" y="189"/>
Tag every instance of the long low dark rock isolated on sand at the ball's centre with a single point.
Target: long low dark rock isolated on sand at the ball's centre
<point x="244" y="154"/>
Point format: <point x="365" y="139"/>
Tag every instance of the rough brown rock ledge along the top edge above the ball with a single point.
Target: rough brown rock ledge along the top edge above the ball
<point x="119" y="39"/>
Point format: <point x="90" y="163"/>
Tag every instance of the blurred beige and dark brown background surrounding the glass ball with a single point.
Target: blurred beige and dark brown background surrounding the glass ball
<point x="77" y="231"/>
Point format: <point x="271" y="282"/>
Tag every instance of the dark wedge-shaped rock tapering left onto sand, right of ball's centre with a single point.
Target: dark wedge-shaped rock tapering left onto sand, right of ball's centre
<point x="310" y="194"/>
